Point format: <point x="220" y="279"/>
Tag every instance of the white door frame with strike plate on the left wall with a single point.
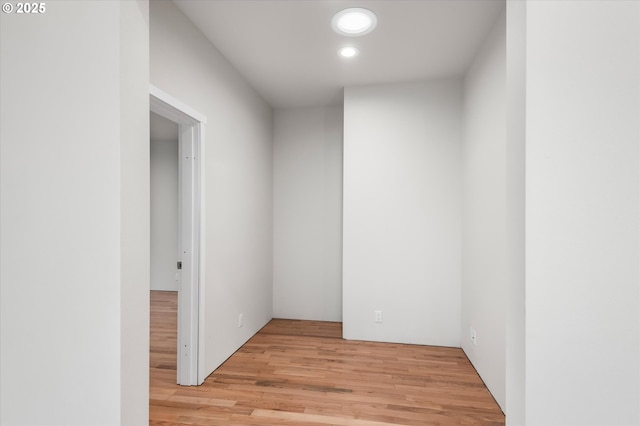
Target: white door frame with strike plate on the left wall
<point x="191" y="233"/>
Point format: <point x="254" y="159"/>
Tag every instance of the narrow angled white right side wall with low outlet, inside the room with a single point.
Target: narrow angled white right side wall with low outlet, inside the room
<point x="484" y="226"/>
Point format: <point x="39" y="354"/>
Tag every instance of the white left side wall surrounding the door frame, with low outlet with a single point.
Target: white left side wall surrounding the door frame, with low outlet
<point x="238" y="183"/>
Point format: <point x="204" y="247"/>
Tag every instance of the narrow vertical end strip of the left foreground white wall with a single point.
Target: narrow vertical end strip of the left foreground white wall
<point x="134" y="211"/>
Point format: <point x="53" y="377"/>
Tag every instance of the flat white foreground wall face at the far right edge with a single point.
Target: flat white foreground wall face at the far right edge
<point x="582" y="213"/>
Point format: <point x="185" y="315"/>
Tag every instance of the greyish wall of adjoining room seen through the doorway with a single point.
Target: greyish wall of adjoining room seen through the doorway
<point x="164" y="206"/>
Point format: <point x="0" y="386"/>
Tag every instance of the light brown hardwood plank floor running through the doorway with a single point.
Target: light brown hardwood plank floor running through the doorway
<point x="303" y="373"/>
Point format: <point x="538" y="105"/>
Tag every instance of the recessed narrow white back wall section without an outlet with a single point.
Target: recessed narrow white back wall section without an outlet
<point x="307" y="192"/>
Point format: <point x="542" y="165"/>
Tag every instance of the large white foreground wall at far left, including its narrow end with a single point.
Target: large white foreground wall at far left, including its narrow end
<point x="74" y="215"/>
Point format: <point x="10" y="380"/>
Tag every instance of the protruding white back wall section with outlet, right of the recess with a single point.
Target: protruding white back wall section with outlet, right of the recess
<point x="402" y="215"/>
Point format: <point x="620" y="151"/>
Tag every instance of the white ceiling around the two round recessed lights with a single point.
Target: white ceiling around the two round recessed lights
<point x="287" y="50"/>
